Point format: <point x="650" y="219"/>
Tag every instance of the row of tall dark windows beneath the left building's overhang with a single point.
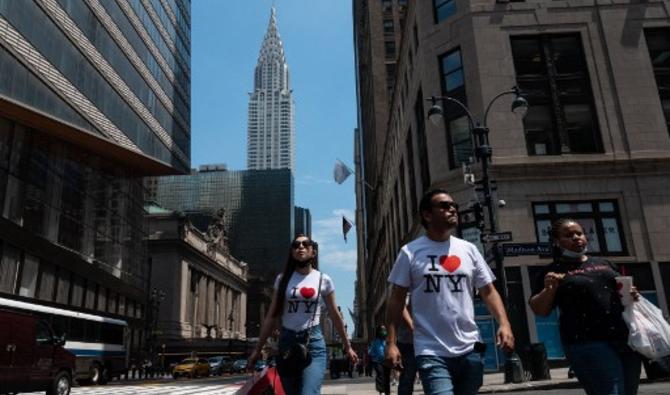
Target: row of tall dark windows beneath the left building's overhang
<point x="68" y="197"/>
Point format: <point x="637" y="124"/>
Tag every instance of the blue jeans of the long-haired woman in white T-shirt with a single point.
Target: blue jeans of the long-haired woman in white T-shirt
<point x="312" y="377"/>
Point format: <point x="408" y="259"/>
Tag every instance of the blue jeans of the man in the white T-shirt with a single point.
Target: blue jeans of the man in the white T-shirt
<point x="461" y="375"/>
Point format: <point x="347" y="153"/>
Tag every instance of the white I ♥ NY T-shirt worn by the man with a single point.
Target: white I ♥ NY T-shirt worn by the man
<point x="441" y="277"/>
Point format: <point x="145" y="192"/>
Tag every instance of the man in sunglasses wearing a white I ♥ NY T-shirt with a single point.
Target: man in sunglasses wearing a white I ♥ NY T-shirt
<point x="441" y="272"/>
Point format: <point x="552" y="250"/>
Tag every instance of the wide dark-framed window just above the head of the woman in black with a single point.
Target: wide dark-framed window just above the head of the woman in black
<point x="600" y="220"/>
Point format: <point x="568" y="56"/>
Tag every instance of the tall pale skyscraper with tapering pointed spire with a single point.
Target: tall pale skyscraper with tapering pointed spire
<point x="271" y="129"/>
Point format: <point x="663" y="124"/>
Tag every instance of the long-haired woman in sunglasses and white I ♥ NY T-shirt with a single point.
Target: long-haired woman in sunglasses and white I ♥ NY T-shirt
<point x="295" y="306"/>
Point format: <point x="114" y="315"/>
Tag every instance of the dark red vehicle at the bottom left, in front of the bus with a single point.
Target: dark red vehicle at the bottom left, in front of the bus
<point x="31" y="357"/>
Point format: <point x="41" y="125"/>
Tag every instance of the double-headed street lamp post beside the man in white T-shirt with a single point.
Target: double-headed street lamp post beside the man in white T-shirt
<point x="483" y="152"/>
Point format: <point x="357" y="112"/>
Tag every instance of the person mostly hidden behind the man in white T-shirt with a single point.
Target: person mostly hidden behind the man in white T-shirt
<point x="406" y="348"/>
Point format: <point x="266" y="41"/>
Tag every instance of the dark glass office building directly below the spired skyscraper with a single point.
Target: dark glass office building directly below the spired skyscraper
<point x="259" y="213"/>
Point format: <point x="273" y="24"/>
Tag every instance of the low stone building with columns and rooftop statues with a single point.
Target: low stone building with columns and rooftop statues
<point x="204" y="287"/>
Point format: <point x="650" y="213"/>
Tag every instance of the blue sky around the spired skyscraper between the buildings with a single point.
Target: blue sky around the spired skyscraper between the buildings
<point x="226" y="38"/>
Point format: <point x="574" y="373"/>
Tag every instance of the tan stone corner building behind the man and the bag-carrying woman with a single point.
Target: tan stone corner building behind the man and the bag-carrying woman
<point x="594" y="145"/>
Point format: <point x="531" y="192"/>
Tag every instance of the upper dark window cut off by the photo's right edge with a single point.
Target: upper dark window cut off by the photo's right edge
<point x="658" y="43"/>
